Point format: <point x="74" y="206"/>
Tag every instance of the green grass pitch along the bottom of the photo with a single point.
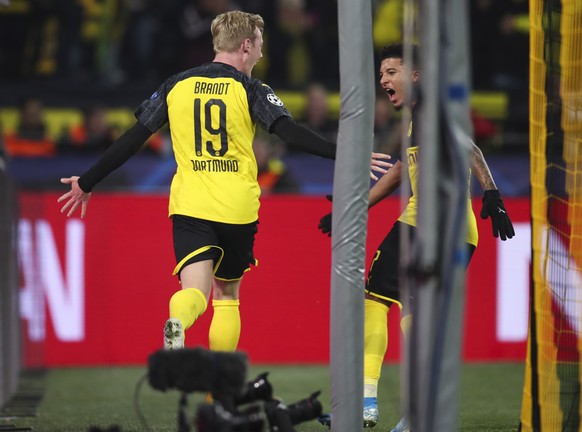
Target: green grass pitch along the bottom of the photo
<point x="77" y="398"/>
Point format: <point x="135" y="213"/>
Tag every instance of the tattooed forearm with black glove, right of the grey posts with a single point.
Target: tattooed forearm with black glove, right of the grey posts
<point x="493" y="206"/>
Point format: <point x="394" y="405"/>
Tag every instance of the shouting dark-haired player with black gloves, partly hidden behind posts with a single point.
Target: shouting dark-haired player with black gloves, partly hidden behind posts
<point x="382" y="284"/>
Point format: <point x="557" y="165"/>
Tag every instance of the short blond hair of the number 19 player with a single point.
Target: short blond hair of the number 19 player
<point x="230" y="29"/>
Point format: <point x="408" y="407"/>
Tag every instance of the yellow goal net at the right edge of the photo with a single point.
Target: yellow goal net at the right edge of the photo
<point x="551" y="394"/>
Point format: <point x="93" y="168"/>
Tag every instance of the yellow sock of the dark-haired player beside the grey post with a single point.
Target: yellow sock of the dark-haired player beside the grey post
<point x="375" y="343"/>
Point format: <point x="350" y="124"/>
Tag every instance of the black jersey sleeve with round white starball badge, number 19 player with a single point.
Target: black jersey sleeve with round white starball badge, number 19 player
<point x="265" y="106"/>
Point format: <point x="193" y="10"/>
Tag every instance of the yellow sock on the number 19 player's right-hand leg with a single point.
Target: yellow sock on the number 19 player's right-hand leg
<point x="224" y="330"/>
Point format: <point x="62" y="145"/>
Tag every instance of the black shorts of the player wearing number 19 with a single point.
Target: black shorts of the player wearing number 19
<point x="230" y="246"/>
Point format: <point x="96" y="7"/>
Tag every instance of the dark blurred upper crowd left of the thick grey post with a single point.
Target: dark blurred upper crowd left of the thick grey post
<point x="144" y="41"/>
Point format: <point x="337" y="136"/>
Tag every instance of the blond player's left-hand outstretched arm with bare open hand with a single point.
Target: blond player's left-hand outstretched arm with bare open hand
<point x="120" y="151"/>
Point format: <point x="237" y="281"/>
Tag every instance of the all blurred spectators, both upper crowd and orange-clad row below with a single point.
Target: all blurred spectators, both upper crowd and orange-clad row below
<point x="89" y="44"/>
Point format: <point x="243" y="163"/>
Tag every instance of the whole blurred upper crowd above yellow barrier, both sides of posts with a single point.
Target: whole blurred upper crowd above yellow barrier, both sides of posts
<point x="128" y="41"/>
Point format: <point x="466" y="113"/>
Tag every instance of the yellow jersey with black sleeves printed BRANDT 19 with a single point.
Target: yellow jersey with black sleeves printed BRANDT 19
<point x="212" y="112"/>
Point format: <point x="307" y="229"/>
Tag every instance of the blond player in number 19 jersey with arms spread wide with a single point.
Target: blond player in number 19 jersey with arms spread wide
<point x="212" y="111"/>
